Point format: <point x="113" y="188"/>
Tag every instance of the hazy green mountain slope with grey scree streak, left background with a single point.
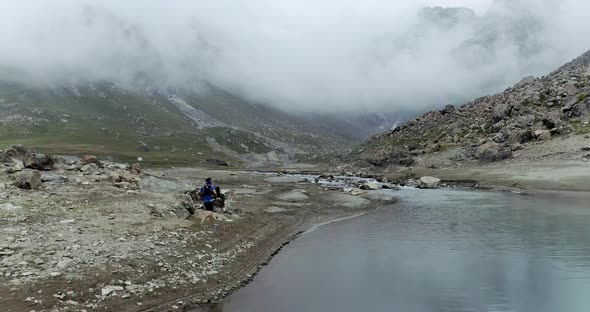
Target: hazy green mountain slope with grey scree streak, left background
<point x="159" y="126"/>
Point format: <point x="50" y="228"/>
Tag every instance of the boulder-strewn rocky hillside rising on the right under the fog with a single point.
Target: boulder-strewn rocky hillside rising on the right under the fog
<point x="534" y="112"/>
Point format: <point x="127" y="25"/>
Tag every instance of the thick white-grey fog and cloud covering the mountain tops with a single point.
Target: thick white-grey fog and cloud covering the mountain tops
<point x="300" y="56"/>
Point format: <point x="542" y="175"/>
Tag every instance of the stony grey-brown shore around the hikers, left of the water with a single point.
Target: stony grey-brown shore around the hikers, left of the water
<point x="82" y="233"/>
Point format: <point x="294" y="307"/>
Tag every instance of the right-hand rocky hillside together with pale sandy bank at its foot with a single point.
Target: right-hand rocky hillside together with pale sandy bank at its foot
<point x="534" y="135"/>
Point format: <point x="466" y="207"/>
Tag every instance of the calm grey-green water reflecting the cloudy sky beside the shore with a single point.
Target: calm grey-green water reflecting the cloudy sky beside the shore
<point x="437" y="250"/>
